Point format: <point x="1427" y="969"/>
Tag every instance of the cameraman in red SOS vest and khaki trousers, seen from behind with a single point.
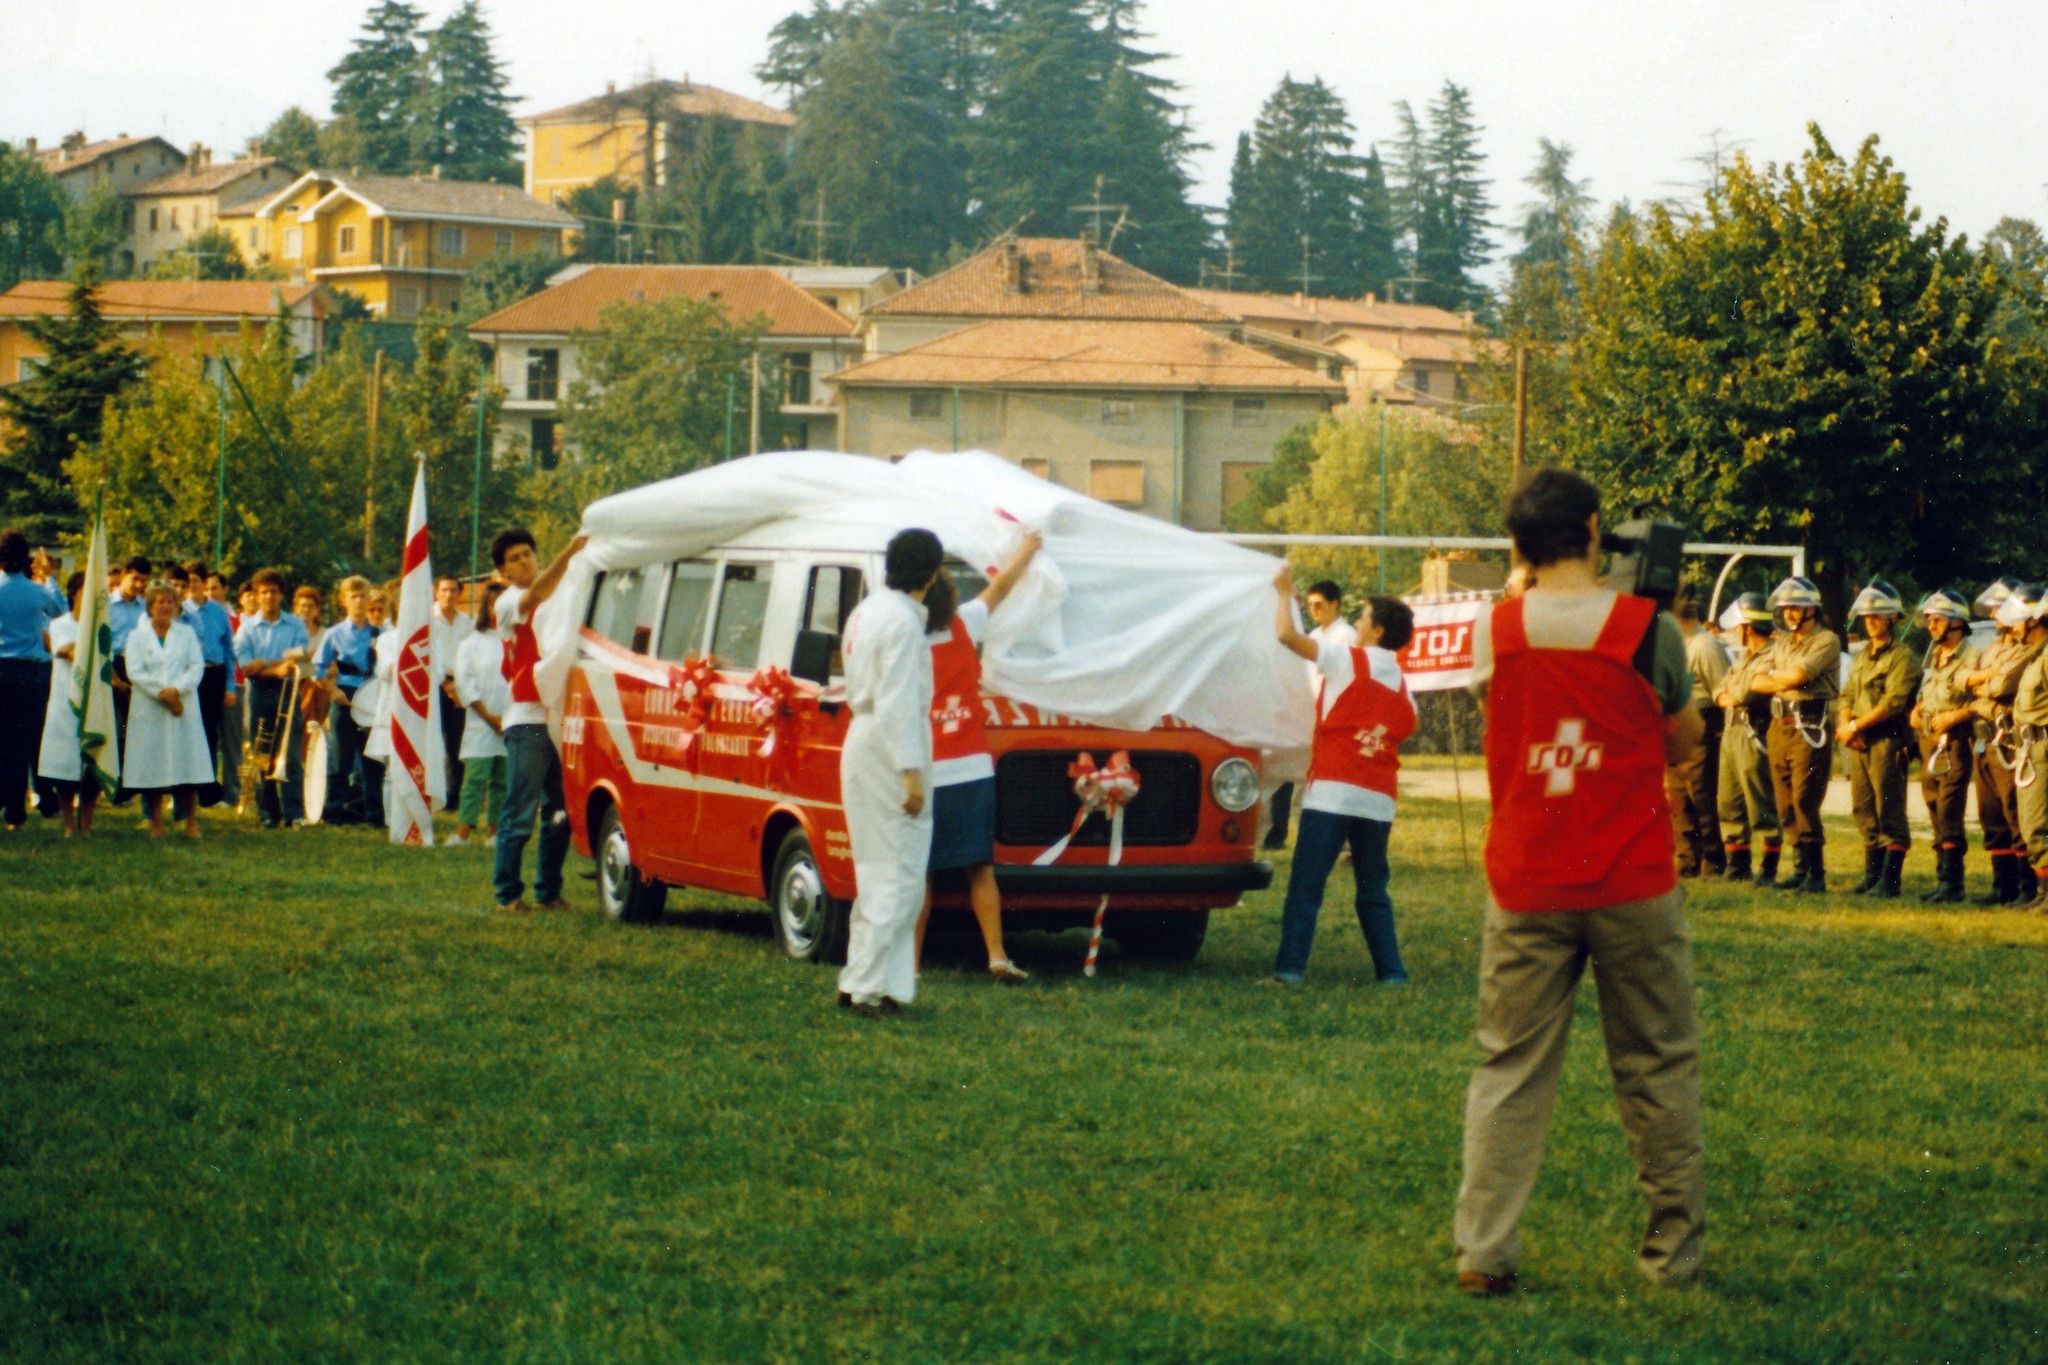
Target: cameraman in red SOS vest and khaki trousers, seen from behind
<point x="1588" y="699"/>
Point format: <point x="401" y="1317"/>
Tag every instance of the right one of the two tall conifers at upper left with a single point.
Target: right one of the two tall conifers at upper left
<point x="466" y="114"/>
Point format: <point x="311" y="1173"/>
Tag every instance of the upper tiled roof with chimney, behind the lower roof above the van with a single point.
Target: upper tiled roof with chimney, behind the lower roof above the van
<point x="1054" y="285"/>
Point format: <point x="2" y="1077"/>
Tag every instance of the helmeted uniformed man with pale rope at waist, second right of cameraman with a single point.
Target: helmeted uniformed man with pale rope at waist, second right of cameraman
<point x="1801" y="676"/>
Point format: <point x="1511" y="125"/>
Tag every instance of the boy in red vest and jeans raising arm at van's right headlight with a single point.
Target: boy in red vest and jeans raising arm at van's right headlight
<point x="1363" y="715"/>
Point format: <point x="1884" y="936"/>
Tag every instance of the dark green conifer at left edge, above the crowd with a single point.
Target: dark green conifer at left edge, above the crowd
<point x="60" y="410"/>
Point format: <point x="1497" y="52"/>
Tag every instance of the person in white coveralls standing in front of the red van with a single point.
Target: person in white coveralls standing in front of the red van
<point x="886" y="773"/>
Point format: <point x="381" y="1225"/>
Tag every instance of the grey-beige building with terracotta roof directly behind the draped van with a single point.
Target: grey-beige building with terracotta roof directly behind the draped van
<point x="1164" y="416"/>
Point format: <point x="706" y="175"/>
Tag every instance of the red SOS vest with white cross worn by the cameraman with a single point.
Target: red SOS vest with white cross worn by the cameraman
<point x="1576" y="764"/>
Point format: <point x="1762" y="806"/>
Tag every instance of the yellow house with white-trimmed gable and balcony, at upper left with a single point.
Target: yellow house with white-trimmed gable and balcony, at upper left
<point x="402" y="245"/>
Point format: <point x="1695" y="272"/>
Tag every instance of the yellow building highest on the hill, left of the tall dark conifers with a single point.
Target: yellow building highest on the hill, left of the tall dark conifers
<point x="632" y="136"/>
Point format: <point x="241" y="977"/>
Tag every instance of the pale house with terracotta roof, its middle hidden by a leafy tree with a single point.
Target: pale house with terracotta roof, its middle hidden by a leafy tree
<point x="536" y="345"/>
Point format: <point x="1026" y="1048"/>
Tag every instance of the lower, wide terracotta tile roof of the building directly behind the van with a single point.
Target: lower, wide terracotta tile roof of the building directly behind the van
<point x="1089" y="355"/>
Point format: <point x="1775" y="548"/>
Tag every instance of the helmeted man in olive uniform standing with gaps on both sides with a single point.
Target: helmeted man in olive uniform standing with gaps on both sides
<point x="1877" y="738"/>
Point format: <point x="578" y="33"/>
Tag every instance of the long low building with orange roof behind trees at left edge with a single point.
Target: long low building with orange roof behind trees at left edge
<point x="187" y="316"/>
